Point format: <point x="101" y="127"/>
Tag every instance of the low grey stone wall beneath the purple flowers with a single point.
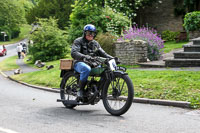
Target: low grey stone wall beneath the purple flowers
<point x="131" y="52"/>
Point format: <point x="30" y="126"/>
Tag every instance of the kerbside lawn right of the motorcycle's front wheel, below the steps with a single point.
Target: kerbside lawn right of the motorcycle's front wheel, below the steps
<point x="167" y="84"/>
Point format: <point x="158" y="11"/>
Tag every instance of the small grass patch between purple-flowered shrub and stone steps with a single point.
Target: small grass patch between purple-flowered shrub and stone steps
<point x="171" y="45"/>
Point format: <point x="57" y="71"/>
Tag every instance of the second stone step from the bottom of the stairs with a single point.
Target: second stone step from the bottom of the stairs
<point x="187" y="55"/>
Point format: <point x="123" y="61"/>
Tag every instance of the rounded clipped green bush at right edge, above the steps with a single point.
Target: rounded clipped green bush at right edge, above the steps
<point x="192" y="21"/>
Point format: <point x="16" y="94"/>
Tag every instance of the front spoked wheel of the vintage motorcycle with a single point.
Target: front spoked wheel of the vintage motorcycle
<point x="118" y="94"/>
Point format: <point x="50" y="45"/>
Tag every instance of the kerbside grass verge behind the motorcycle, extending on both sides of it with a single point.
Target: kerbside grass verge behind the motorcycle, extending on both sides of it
<point x="165" y="84"/>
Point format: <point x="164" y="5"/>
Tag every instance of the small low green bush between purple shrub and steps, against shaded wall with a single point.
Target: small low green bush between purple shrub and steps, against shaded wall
<point x="169" y="35"/>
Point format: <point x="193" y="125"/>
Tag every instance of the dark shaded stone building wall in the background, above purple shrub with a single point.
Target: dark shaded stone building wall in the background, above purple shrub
<point x="161" y="17"/>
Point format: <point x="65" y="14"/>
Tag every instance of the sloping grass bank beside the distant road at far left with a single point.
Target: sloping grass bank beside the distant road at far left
<point x="25" y="30"/>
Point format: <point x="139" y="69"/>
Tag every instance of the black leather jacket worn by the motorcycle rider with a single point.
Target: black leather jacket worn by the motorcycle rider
<point x="82" y="47"/>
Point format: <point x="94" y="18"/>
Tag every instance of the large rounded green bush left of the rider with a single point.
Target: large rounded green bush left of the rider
<point x="49" y="42"/>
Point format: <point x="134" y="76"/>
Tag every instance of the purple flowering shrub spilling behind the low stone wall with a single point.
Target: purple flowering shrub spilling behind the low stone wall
<point x="154" y="41"/>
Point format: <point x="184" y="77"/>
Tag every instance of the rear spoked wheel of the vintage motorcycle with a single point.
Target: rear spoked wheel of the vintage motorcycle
<point x="68" y="90"/>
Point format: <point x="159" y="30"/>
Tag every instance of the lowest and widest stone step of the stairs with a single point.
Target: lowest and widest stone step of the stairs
<point x="182" y="63"/>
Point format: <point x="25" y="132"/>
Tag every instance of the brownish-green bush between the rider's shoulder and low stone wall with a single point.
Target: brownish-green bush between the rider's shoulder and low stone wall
<point x="106" y="40"/>
